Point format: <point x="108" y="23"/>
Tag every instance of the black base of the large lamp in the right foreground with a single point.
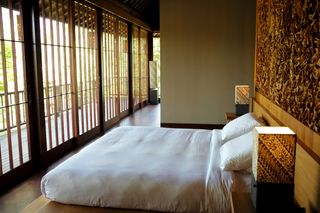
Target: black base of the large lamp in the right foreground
<point x="272" y="197"/>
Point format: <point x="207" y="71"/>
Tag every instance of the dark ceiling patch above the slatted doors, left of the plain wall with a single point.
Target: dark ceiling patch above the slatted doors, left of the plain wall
<point x="147" y="10"/>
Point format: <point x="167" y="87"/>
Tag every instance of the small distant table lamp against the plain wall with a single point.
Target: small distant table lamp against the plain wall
<point x="242" y="99"/>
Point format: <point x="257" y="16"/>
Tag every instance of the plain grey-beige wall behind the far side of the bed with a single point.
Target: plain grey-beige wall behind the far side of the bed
<point x="207" y="47"/>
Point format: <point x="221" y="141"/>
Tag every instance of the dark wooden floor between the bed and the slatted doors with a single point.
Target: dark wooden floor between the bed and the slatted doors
<point x="24" y="194"/>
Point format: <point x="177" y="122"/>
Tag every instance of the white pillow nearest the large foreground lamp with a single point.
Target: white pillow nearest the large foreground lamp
<point x="236" y="154"/>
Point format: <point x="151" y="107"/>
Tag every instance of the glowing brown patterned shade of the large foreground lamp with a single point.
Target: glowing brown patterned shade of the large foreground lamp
<point x="274" y="155"/>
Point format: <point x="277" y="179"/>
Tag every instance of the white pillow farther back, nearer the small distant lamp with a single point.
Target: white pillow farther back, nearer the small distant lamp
<point x="239" y="126"/>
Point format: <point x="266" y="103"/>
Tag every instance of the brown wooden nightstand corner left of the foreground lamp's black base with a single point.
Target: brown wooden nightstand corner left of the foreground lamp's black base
<point x="241" y="202"/>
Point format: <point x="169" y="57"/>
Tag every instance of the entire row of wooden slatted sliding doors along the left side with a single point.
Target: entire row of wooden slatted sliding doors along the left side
<point x="64" y="76"/>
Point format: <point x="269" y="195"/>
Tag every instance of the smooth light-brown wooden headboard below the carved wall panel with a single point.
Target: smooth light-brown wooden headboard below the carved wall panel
<point x="307" y="167"/>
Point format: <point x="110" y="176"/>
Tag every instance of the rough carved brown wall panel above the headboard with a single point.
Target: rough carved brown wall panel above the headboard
<point x="288" y="57"/>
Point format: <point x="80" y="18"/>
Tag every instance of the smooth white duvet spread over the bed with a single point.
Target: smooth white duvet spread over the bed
<point x="173" y="170"/>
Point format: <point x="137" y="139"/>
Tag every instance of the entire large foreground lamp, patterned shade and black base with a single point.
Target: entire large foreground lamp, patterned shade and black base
<point x="273" y="169"/>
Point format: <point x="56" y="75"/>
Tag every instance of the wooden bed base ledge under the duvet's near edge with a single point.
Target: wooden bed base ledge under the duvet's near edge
<point x="42" y="204"/>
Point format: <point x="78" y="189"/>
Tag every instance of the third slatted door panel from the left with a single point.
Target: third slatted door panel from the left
<point x="86" y="67"/>
